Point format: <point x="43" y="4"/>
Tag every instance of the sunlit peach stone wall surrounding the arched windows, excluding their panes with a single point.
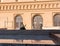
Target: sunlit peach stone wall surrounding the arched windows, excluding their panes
<point x="27" y="10"/>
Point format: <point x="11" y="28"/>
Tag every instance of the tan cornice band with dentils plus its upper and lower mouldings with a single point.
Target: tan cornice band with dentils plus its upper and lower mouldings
<point x="29" y="6"/>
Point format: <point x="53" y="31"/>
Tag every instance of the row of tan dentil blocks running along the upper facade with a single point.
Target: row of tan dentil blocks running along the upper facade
<point x="29" y="6"/>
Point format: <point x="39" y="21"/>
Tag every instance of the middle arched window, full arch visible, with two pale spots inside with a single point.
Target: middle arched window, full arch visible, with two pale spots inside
<point x="37" y="22"/>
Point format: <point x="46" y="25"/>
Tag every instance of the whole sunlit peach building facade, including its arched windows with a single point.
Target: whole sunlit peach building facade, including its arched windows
<point x="33" y="13"/>
